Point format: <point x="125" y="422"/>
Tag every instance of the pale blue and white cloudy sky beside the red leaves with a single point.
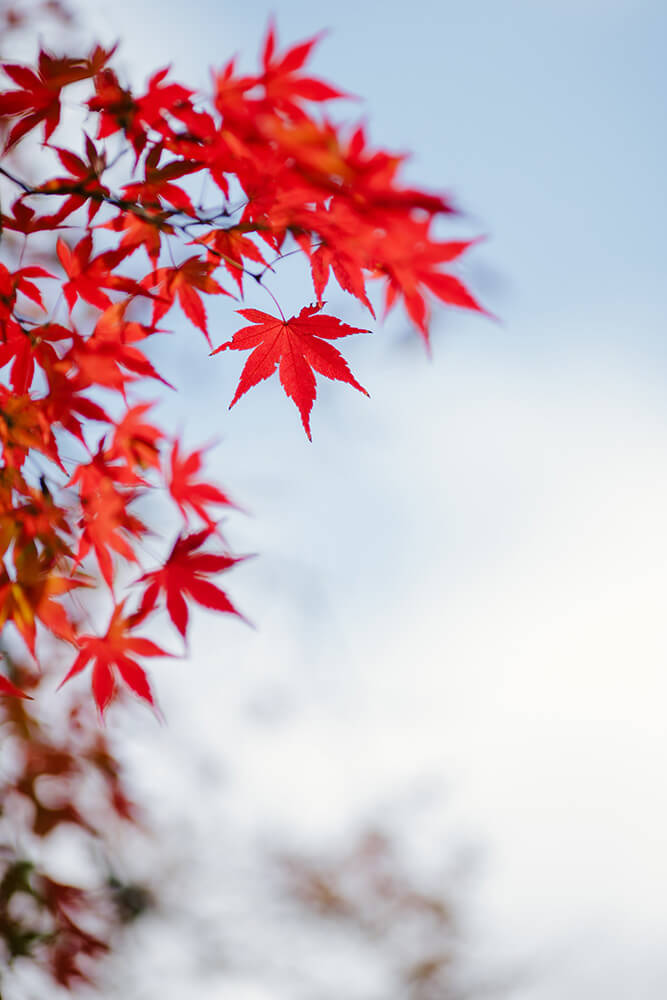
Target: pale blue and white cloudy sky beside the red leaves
<point x="461" y="583"/>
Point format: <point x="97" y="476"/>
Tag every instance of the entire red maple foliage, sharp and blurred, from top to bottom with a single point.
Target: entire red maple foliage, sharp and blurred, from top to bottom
<point x="103" y="243"/>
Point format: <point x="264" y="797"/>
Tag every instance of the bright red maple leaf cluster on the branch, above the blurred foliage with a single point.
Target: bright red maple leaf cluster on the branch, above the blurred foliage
<point x="130" y="244"/>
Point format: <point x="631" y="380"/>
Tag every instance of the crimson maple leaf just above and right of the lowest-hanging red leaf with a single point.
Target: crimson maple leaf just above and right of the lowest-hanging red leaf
<point x="182" y="575"/>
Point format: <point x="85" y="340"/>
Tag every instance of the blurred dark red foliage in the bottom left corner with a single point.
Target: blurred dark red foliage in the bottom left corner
<point x="62" y="805"/>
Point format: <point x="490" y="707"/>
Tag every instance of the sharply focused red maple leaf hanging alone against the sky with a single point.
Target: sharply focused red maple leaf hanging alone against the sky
<point x="297" y="347"/>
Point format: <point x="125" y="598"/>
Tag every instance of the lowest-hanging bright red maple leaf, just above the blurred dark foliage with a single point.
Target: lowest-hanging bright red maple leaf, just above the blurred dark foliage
<point x="111" y="653"/>
